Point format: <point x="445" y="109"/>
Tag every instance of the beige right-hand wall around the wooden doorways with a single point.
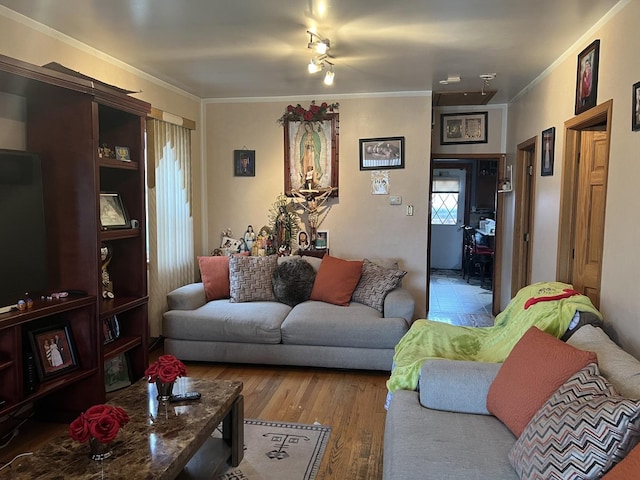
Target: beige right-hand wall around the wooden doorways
<point x="550" y="103"/>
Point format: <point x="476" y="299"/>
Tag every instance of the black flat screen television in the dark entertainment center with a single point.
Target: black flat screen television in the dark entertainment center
<point x="23" y="240"/>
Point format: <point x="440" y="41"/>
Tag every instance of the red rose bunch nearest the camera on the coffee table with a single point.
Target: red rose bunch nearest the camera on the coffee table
<point x="101" y="422"/>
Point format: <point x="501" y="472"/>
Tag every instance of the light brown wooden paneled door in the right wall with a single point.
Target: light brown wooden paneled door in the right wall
<point x="590" y="213"/>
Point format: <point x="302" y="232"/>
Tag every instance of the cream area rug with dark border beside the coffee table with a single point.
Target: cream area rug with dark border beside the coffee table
<point x="279" y="451"/>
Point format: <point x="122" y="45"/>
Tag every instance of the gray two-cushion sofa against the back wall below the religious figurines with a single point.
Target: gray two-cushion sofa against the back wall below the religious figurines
<point x="312" y="333"/>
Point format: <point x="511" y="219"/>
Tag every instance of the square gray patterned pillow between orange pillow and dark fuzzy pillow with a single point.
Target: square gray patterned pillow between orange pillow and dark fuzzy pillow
<point x="250" y="278"/>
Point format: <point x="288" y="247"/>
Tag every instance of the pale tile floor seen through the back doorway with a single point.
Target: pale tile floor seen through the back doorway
<point x="453" y="300"/>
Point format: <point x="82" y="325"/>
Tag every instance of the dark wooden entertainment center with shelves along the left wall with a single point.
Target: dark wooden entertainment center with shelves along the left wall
<point x="68" y="117"/>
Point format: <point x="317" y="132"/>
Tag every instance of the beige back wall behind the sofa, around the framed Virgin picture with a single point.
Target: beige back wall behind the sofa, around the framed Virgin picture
<point x="360" y="224"/>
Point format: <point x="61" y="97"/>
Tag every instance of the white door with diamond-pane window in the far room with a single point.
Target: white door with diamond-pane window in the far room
<point x="447" y="217"/>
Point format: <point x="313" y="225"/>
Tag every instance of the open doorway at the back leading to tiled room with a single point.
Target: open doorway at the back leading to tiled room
<point x="447" y="290"/>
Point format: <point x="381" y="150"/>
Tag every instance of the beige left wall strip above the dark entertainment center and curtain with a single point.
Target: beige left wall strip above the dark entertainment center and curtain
<point x="39" y="45"/>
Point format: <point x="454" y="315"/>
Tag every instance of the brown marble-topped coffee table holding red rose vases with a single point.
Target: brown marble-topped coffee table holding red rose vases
<point x="161" y="441"/>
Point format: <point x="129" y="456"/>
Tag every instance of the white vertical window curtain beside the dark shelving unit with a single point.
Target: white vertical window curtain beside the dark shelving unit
<point x="170" y="214"/>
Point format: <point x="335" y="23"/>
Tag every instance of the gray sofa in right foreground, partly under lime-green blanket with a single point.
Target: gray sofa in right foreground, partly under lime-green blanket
<point x="455" y="438"/>
